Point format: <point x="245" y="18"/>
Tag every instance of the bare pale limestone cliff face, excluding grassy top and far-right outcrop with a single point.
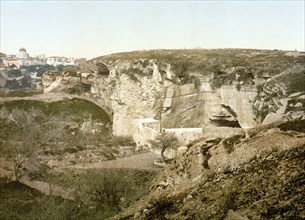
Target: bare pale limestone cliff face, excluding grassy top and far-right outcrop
<point x="133" y="92"/>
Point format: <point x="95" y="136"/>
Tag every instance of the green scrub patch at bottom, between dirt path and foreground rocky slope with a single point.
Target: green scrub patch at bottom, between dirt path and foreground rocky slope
<point x="102" y="193"/>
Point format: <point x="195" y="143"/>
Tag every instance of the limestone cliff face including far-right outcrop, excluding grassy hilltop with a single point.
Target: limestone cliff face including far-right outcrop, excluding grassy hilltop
<point x="135" y="89"/>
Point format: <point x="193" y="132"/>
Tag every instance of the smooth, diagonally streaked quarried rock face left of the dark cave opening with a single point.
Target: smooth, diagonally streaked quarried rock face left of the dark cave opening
<point x="186" y="107"/>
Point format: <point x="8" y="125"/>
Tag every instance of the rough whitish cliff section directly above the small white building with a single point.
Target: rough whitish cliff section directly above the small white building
<point x="131" y="101"/>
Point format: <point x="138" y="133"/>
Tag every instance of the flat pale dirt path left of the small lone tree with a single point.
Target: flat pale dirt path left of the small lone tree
<point x="136" y="161"/>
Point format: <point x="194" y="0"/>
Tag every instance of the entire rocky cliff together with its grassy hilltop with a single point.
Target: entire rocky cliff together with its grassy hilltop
<point x="187" y="88"/>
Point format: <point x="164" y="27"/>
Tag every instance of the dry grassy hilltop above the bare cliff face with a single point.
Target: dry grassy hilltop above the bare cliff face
<point x="224" y="64"/>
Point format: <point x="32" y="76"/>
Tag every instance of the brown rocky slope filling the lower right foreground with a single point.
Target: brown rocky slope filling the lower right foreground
<point x="256" y="177"/>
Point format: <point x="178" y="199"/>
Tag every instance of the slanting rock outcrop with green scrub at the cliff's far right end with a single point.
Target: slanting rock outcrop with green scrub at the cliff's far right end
<point x="282" y="97"/>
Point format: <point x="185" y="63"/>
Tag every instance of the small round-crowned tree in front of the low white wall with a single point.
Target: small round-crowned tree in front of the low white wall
<point x="164" y="141"/>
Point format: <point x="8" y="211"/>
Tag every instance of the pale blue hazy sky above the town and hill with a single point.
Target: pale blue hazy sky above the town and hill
<point x="94" y="28"/>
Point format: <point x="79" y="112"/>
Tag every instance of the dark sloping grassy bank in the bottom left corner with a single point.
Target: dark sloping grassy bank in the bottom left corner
<point x="18" y="201"/>
